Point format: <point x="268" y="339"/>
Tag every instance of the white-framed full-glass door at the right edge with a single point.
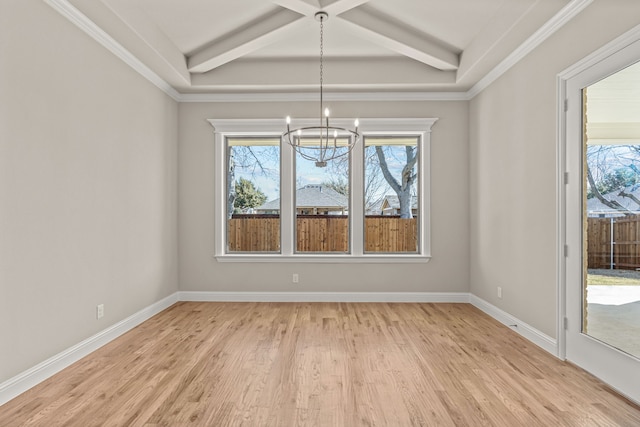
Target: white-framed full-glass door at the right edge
<point x="603" y="225"/>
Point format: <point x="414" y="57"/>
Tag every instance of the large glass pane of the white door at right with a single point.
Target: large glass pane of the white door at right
<point x="611" y="308"/>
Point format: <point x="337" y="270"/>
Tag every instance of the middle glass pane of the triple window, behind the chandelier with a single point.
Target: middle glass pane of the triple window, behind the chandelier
<point x="322" y="197"/>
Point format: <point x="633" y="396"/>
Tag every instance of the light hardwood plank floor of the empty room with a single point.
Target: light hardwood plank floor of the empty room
<point x="320" y="364"/>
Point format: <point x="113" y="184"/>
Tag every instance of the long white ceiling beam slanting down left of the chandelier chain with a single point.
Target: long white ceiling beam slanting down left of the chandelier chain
<point x="249" y="38"/>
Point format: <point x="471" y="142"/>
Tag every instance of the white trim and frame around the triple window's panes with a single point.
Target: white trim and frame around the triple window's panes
<point x="224" y="128"/>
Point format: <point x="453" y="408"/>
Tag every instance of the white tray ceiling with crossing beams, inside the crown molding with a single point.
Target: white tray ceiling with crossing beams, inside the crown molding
<point x="263" y="46"/>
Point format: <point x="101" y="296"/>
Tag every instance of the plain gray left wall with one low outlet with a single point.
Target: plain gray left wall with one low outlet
<point x="88" y="179"/>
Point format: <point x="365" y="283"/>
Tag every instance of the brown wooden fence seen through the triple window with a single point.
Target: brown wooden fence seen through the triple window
<point x="321" y="233"/>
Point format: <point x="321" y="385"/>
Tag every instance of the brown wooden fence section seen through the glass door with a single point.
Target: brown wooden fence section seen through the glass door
<point x="620" y="250"/>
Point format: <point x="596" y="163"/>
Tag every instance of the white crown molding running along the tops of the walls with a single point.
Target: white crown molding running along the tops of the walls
<point x="567" y="13"/>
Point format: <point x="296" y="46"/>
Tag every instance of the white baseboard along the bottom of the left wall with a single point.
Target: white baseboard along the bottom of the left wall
<point x="17" y="385"/>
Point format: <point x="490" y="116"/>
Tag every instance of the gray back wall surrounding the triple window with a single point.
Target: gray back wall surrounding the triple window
<point x="448" y="270"/>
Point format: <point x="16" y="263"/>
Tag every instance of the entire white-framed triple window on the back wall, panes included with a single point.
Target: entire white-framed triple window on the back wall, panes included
<point x="273" y="205"/>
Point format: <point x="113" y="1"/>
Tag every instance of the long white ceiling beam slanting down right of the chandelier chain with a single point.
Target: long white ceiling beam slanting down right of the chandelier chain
<point x="375" y="28"/>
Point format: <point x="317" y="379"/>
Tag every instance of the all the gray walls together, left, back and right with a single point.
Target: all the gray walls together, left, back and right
<point x="99" y="203"/>
